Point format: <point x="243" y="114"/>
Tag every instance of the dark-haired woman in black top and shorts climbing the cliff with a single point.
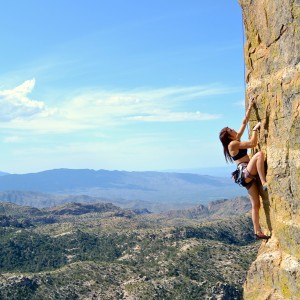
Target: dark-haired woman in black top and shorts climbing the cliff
<point x="247" y="169"/>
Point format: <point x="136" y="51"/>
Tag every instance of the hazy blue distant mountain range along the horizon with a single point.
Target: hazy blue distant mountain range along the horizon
<point x="119" y="187"/>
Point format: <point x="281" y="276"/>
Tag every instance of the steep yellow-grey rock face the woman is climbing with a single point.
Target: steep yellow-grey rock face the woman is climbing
<point x="272" y="49"/>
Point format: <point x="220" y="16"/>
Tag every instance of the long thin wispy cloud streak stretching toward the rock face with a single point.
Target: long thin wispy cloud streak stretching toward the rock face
<point x="155" y="105"/>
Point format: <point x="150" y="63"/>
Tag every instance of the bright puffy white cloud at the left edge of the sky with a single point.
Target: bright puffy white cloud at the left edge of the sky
<point x="15" y="103"/>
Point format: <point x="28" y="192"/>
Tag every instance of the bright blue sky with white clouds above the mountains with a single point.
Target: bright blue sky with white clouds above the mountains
<point x="118" y="85"/>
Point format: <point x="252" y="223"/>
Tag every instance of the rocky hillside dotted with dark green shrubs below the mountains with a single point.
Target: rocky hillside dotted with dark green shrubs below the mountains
<point x="100" y="251"/>
